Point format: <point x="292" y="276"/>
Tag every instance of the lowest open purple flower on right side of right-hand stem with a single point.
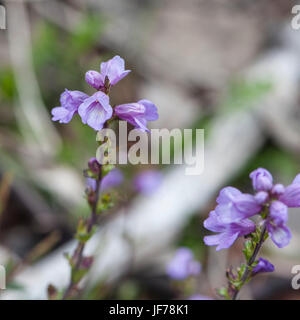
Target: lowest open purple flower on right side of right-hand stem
<point x="276" y="224"/>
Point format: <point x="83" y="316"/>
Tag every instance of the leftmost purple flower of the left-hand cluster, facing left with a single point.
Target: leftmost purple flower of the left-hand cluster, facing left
<point x="69" y="101"/>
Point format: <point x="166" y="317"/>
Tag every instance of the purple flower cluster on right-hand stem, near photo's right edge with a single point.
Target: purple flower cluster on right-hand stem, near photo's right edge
<point x="230" y="219"/>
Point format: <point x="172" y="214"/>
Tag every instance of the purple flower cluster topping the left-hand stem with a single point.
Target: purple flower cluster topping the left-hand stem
<point x="95" y="110"/>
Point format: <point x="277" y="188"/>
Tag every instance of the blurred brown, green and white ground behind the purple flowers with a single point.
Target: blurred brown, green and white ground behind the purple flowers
<point x="230" y="67"/>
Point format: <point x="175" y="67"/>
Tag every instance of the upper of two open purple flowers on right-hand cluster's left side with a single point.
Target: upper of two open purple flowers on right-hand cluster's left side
<point x="235" y="206"/>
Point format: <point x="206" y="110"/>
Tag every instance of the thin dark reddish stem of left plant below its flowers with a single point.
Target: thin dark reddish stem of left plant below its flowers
<point x="78" y="253"/>
